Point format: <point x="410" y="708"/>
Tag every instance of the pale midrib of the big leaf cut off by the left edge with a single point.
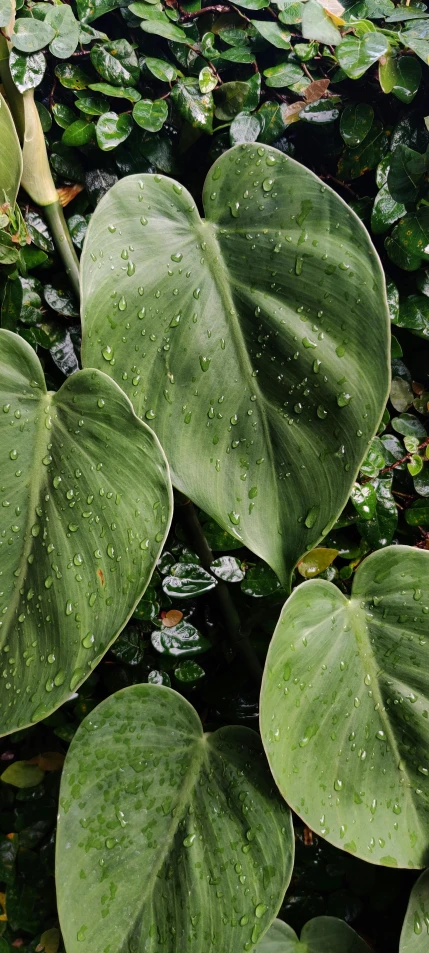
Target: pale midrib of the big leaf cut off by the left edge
<point x="33" y="495"/>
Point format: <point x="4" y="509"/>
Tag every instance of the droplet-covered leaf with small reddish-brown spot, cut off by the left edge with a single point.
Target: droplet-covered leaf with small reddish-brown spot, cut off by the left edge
<point x="86" y="504"/>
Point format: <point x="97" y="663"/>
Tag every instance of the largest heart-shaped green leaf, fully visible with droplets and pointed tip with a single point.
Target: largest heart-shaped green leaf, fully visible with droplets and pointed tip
<point x="239" y="337"/>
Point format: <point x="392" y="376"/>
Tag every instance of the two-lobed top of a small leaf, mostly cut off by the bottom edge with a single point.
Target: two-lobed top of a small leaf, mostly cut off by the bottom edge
<point x="321" y="935"/>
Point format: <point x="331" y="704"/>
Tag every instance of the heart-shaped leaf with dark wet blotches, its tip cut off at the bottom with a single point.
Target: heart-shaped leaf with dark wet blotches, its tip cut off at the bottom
<point x="168" y="838"/>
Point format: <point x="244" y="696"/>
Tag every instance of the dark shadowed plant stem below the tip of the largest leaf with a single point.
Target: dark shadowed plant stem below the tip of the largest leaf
<point x="241" y="642"/>
